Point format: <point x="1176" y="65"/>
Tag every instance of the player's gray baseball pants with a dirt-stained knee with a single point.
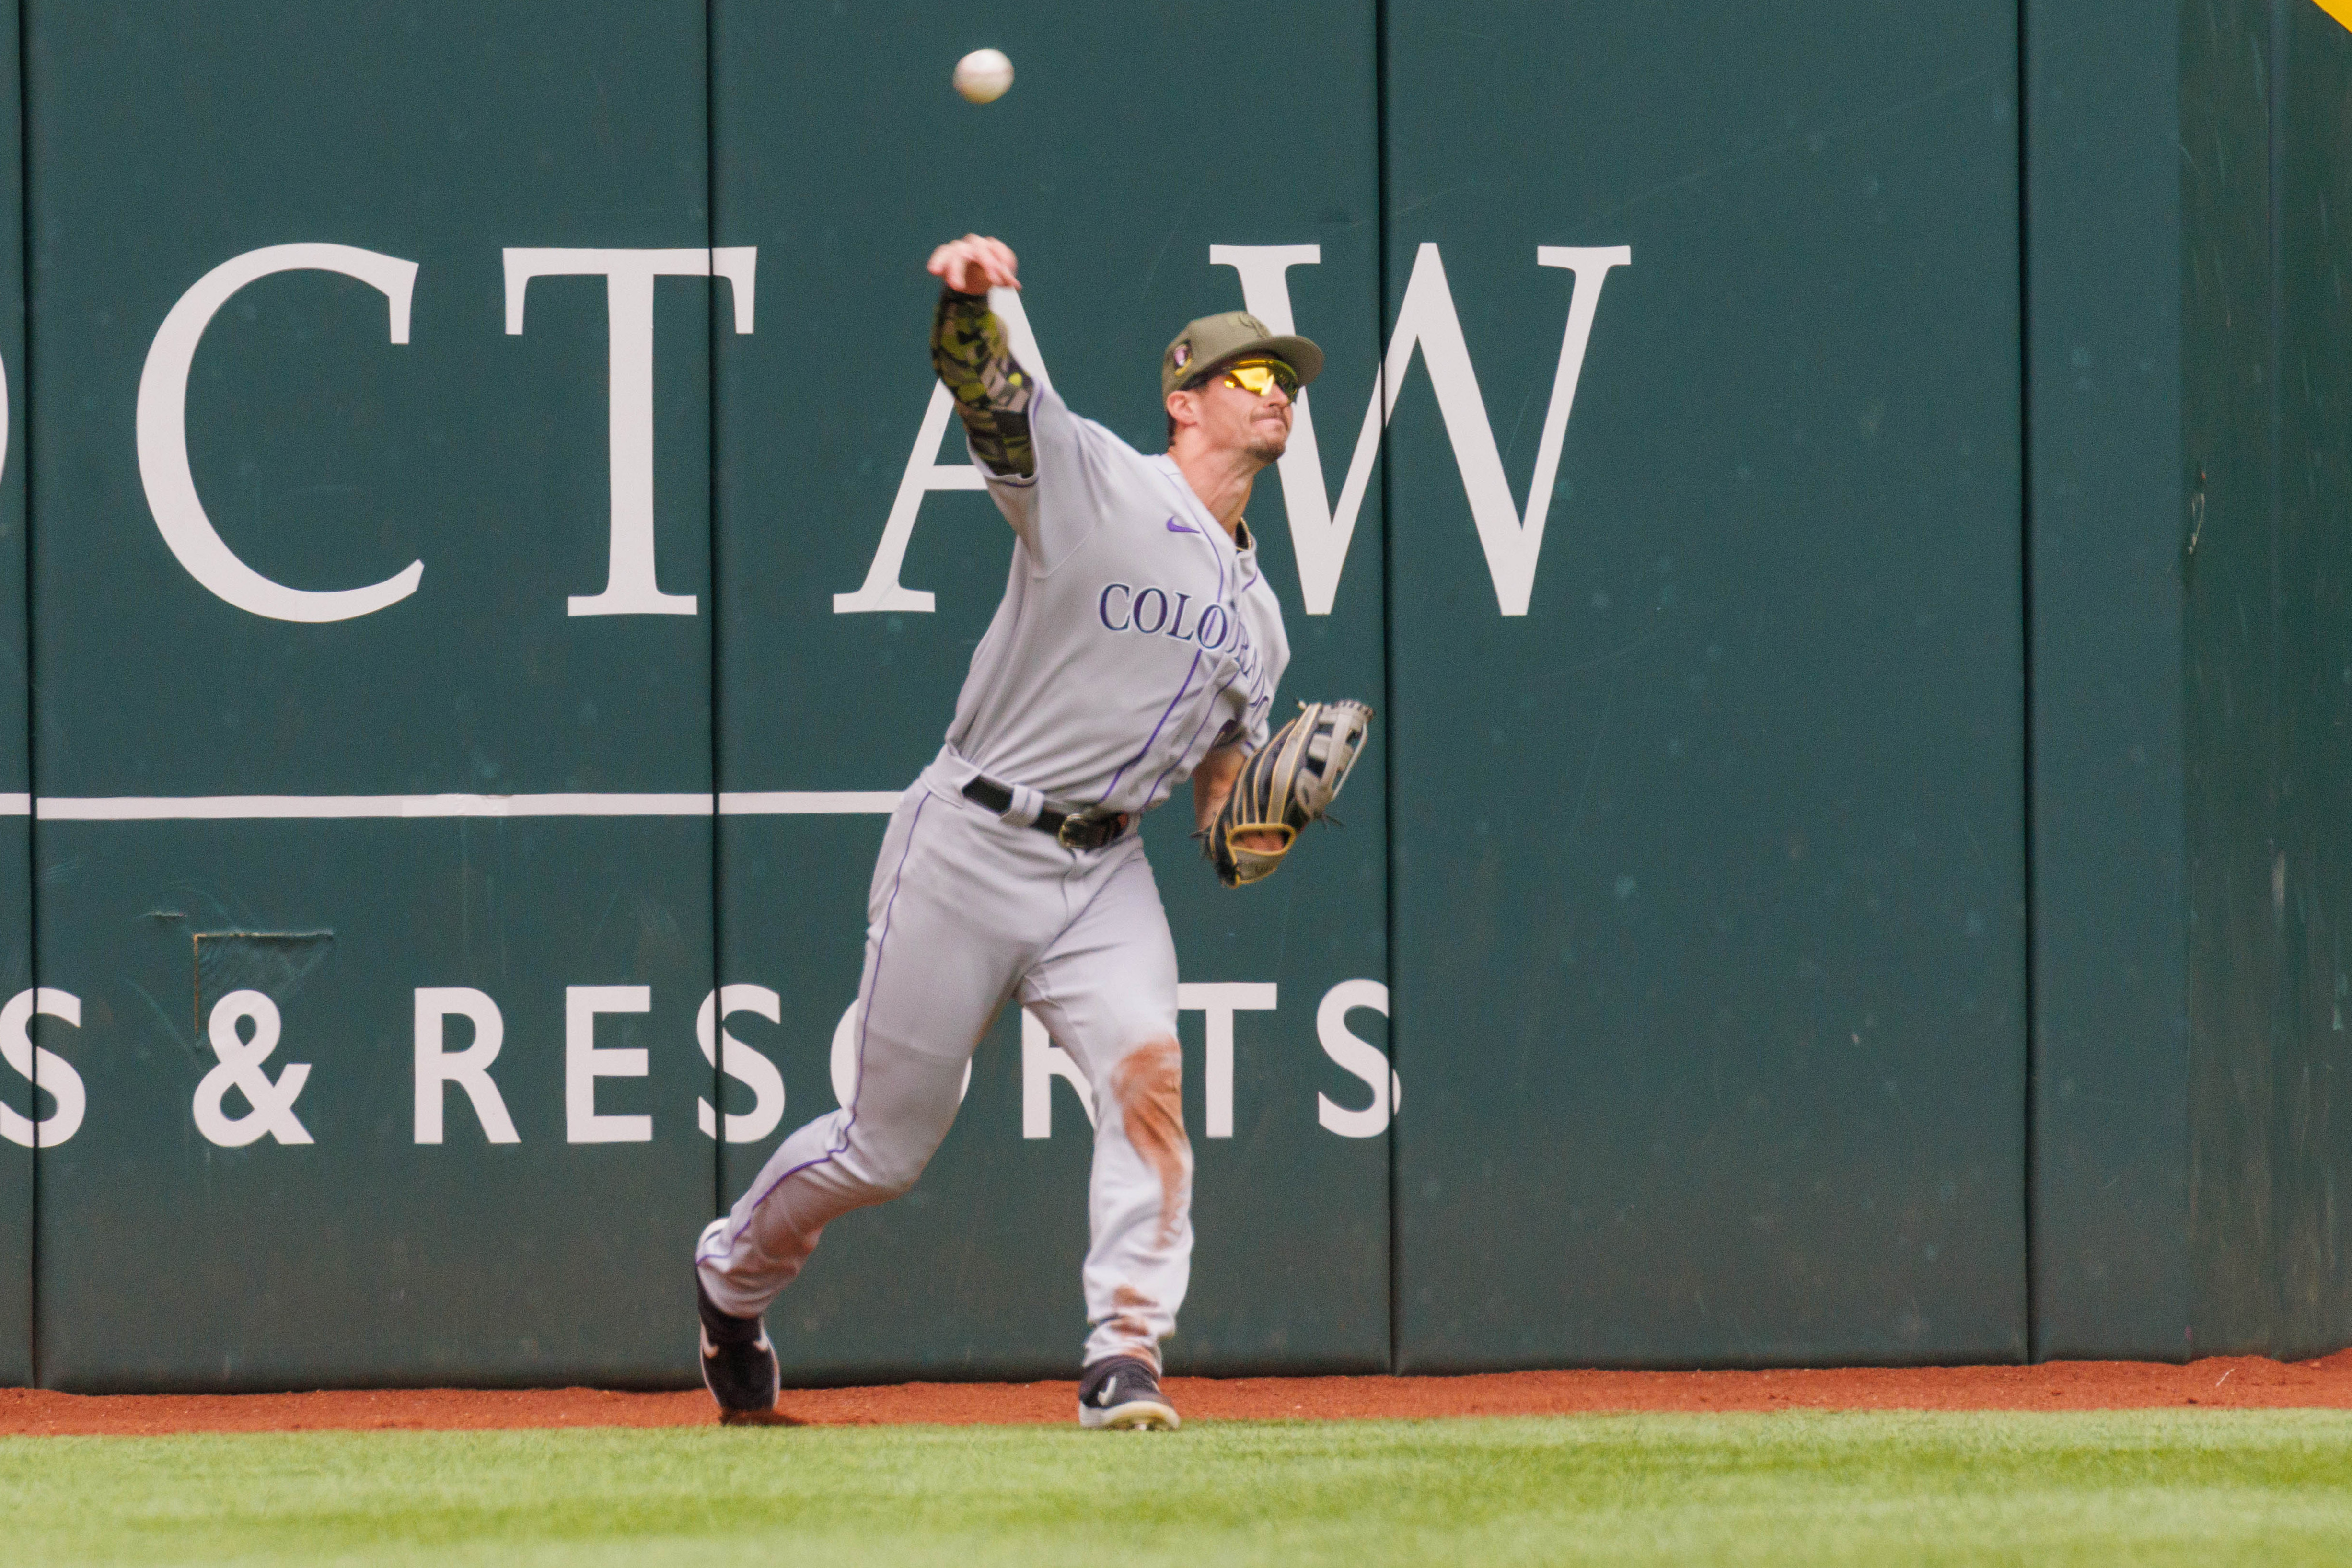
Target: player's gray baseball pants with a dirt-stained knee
<point x="965" y="916"/>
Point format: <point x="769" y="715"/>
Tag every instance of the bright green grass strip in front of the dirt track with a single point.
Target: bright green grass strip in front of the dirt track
<point x="1624" y="1489"/>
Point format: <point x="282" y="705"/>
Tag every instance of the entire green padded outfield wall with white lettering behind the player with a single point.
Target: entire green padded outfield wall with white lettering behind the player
<point x="1843" y="516"/>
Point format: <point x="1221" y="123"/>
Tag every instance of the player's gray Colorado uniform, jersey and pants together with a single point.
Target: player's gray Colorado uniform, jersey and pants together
<point x="1135" y="636"/>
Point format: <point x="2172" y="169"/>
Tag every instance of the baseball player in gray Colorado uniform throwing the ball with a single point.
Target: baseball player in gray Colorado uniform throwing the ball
<point x="1137" y="648"/>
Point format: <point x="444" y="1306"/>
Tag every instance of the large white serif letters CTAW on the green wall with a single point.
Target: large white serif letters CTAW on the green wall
<point x="1321" y="528"/>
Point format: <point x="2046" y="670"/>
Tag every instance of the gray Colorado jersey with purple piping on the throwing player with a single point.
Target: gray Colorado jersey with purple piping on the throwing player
<point x="1135" y="636"/>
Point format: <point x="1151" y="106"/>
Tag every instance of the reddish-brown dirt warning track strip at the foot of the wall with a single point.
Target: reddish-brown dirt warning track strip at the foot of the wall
<point x="2245" y="1383"/>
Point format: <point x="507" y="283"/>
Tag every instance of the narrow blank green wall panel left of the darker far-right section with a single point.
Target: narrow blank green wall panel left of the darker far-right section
<point x="2109" y="525"/>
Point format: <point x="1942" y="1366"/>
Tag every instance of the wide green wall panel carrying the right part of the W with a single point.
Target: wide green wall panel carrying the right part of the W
<point x="1711" y="862"/>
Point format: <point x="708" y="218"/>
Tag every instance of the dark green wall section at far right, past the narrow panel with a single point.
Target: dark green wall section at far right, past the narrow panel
<point x="2269" y="674"/>
